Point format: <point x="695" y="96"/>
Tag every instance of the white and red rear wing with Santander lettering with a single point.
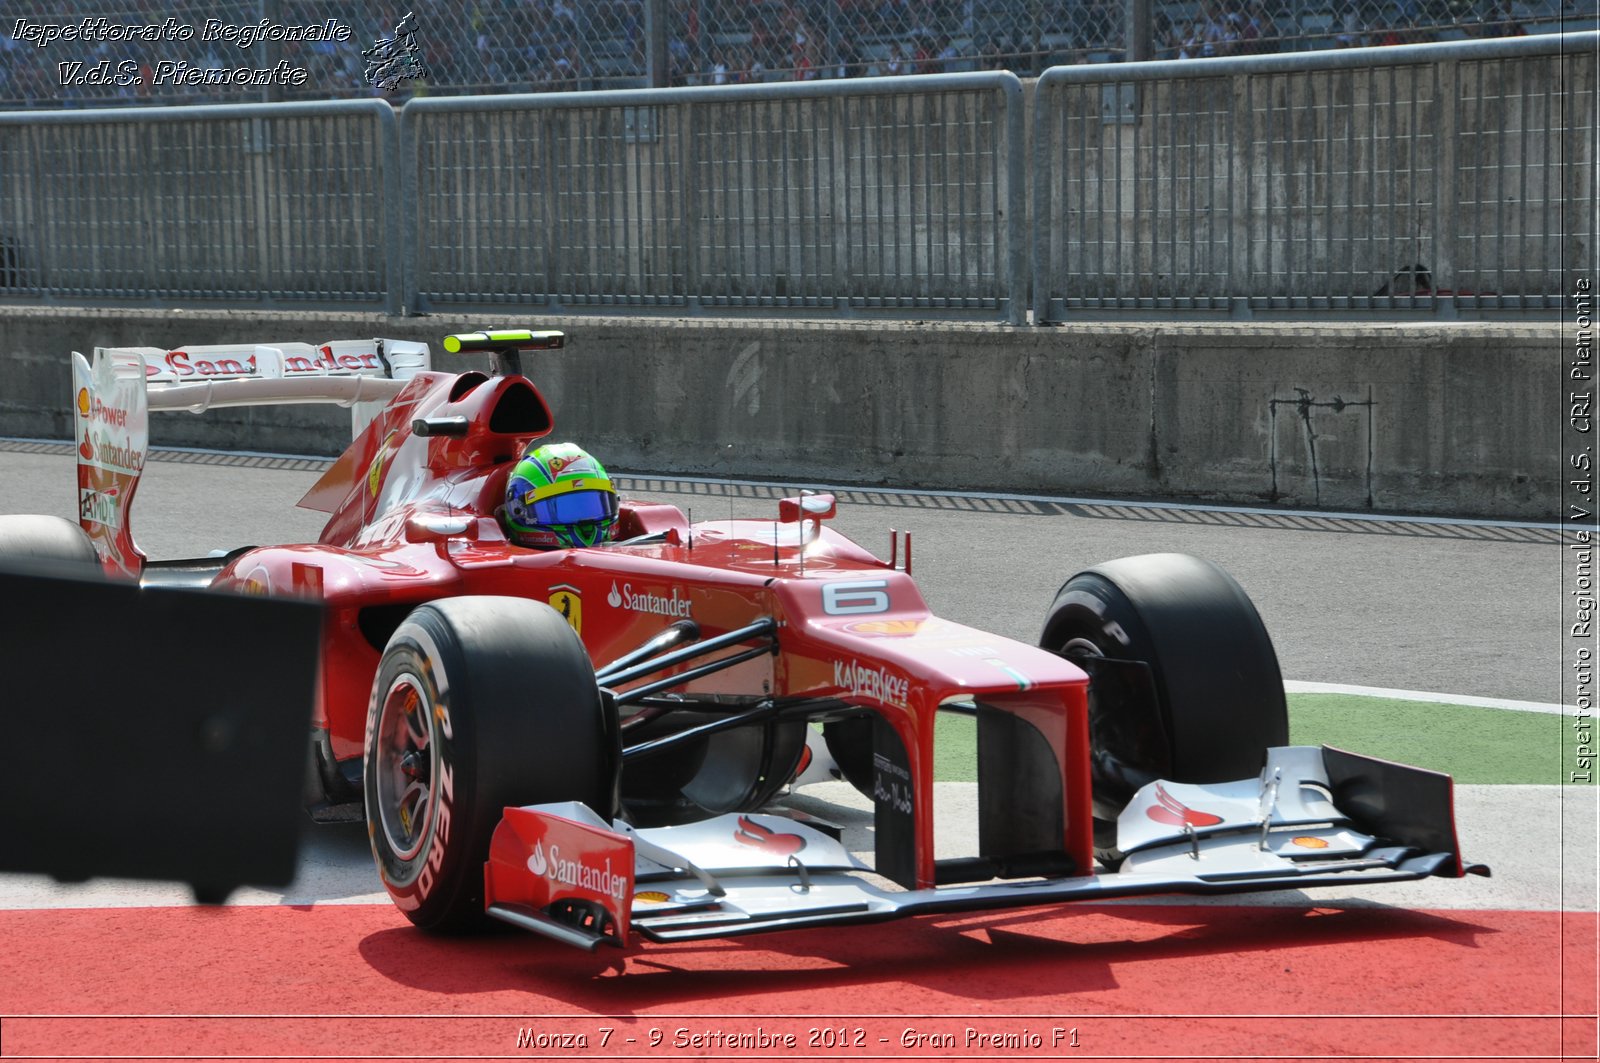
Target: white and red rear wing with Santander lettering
<point x="114" y="396"/>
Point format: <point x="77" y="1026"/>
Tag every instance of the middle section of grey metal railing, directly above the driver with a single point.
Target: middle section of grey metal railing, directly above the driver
<point x="828" y="198"/>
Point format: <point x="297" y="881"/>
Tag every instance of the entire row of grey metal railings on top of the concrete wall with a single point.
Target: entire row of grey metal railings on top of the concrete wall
<point x="1431" y="179"/>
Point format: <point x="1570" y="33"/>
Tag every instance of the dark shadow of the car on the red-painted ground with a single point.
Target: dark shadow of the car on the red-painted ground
<point x="1026" y="960"/>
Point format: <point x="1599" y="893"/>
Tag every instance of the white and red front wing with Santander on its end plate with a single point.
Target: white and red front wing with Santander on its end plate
<point x="751" y="873"/>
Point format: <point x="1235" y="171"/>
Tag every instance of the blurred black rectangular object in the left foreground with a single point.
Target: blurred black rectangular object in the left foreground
<point x="153" y="734"/>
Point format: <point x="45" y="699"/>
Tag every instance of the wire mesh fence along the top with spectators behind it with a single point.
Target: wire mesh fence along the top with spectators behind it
<point x="546" y="46"/>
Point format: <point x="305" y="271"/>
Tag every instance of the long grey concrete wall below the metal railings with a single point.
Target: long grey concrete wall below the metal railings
<point x="1458" y="420"/>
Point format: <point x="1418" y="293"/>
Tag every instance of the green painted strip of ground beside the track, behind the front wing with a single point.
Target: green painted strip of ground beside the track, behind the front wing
<point x="1474" y="745"/>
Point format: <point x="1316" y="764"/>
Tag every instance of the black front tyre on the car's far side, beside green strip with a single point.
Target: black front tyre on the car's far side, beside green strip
<point x="1209" y="702"/>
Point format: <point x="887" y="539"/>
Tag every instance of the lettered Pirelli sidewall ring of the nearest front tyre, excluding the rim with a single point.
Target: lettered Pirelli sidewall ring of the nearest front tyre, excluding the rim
<point x="428" y="884"/>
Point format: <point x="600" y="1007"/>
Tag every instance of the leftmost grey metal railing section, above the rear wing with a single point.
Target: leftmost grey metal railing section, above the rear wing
<point x="226" y="206"/>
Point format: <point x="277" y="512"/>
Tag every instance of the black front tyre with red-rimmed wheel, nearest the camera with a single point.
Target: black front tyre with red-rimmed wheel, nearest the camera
<point x="479" y="704"/>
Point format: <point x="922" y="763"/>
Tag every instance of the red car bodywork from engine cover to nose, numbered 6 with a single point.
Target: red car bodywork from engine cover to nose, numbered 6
<point x="414" y="521"/>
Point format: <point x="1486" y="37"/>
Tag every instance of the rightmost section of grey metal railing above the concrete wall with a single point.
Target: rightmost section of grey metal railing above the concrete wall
<point x="1426" y="177"/>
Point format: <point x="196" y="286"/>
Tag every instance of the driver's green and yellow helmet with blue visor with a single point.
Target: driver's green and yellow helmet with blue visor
<point x="559" y="495"/>
